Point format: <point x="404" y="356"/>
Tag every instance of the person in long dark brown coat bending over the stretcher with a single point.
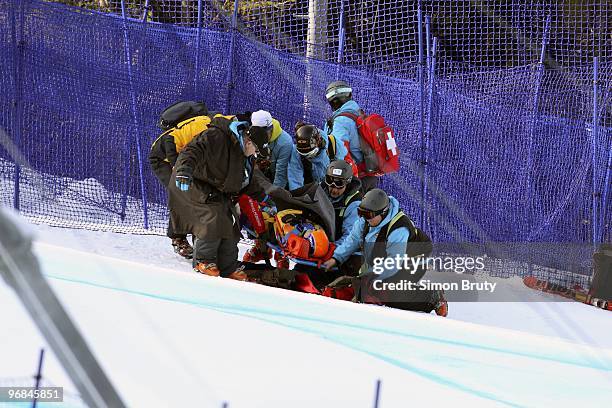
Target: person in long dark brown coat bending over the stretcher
<point x="209" y="173"/>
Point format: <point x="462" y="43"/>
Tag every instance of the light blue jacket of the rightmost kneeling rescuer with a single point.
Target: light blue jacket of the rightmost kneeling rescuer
<point x="396" y="243"/>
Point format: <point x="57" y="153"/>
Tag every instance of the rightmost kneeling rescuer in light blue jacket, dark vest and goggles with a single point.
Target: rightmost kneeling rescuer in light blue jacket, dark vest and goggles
<point x="384" y="231"/>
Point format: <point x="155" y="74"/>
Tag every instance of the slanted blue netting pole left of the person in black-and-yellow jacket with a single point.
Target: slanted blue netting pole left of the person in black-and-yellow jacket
<point x="138" y="133"/>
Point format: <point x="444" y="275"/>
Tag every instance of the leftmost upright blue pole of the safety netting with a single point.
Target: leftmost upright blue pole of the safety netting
<point x="17" y="41"/>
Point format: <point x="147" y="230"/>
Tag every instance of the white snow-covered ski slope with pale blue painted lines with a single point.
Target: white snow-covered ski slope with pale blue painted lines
<point x="168" y="337"/>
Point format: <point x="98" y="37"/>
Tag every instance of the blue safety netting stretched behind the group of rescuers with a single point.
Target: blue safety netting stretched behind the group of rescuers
<point x="495" y="147"/>
